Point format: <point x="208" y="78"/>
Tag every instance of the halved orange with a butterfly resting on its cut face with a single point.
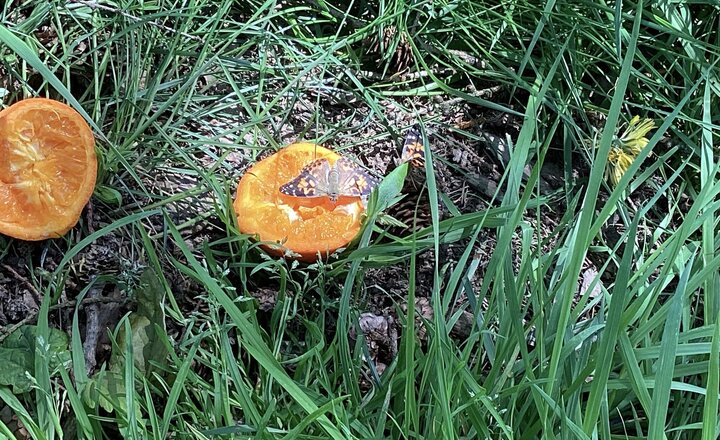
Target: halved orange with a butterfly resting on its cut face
<point x="305" y="226"/>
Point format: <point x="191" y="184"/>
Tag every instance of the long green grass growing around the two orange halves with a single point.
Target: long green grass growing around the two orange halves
<point x="199" y="90"/>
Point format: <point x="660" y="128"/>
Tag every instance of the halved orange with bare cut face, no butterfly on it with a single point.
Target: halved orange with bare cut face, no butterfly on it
<point x="47" y="168"/>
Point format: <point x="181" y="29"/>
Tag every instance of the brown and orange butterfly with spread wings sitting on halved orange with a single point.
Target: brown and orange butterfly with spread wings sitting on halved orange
<point x="320" y="179"/>
